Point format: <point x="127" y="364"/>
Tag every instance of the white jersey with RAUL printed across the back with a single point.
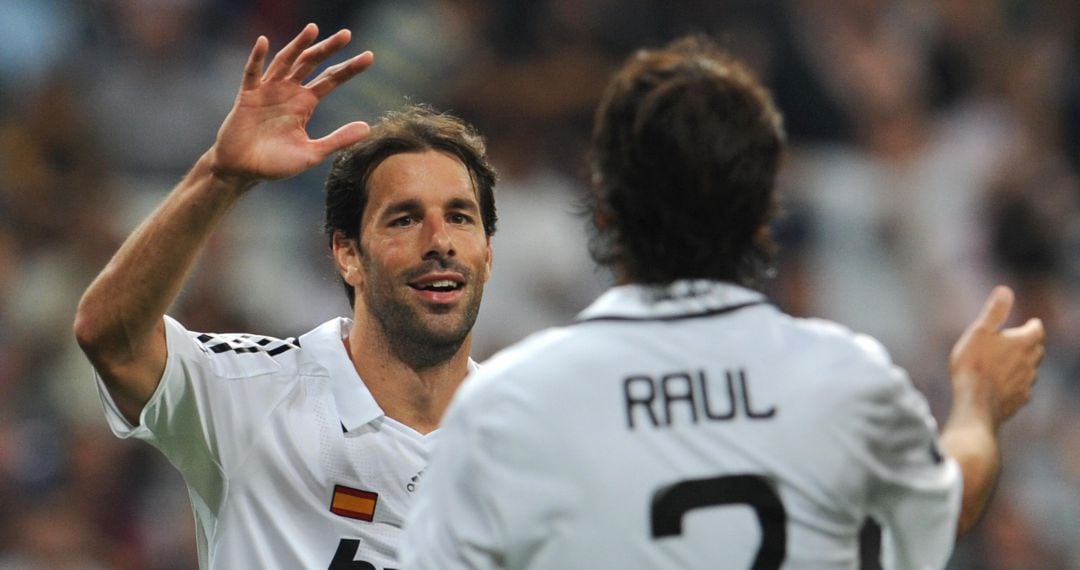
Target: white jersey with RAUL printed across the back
<point x="691" y="427"/>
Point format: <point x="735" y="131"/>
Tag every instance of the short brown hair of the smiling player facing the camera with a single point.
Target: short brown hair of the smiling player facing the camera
<point x="415" y="129"/>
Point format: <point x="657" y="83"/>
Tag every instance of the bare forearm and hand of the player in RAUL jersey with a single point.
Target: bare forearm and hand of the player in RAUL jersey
<point x="993" y="372"/>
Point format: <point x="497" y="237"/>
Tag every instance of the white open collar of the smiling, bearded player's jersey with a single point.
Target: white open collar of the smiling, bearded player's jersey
<point x="356" y="404"/>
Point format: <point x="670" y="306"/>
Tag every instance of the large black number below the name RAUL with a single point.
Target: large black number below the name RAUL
<point x="672" y="503"/>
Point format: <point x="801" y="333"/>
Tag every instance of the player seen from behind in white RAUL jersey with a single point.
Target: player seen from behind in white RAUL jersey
<point x="682" y="422"/>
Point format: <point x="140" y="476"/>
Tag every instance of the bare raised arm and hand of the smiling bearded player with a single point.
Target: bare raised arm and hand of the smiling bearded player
<point x="119" y="321"/>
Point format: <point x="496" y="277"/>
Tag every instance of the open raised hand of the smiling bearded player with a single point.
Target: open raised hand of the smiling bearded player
<point x="265" y="135"/>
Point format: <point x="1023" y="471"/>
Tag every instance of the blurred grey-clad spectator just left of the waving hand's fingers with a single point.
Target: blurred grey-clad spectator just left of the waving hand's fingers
<point x="167" y="87"/>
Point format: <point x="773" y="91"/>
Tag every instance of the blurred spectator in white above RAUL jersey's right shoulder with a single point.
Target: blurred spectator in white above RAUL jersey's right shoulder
<point x="896" y="212"/>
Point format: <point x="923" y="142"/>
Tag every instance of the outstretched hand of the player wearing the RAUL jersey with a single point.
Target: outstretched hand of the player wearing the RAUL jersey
<point x="997" y="368"/>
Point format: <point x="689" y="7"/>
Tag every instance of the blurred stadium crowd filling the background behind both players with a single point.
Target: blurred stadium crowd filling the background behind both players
<point x="936" y="152"/>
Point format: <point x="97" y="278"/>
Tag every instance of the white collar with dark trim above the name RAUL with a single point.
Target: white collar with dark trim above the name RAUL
<point x="681" y="300"/>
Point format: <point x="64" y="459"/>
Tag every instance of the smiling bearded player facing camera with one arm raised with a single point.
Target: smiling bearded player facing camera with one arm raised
<point x="304" y="453"/>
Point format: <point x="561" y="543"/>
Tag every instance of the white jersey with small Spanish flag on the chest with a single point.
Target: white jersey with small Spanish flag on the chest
<point x="289" y="460"/>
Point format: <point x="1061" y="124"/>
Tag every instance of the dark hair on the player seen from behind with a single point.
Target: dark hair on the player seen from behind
<point x="685" y="152"/>
